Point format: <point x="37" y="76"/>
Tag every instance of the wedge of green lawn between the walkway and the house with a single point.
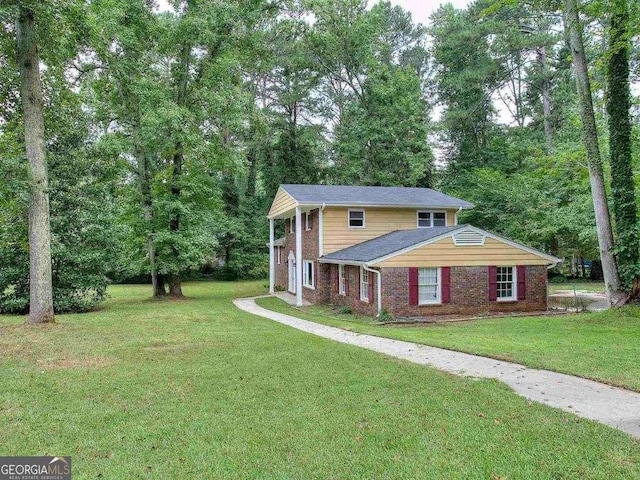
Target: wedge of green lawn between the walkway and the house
<point x="603" y="346"/>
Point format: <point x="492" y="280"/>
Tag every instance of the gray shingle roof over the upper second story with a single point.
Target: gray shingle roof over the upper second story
<point x="360" y="195"/>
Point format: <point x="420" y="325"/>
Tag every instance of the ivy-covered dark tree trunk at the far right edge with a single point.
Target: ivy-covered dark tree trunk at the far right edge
<point x="622" y="184"/>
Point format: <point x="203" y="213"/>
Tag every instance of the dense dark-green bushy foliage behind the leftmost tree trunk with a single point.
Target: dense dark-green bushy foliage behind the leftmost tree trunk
<point x="82" y="203"/>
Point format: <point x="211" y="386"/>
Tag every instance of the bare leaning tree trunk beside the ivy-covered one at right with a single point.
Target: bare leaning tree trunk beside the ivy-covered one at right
<point x="596" y="177"/>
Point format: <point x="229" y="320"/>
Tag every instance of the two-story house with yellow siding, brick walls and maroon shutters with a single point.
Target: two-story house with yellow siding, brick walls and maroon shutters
<point x="397" y="249"/>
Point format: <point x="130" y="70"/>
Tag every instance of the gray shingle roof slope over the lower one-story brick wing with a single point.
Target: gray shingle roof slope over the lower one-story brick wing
<point x="388" y="244"/>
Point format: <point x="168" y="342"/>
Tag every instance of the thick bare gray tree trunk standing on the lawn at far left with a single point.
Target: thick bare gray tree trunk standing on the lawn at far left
<point x="40" y="282"/>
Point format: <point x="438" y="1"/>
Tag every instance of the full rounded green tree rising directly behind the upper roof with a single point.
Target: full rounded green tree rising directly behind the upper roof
<point x="381" y="139"/>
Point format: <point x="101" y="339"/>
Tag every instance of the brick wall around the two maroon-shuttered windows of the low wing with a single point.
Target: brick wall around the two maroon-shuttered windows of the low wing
<point x="469" y="293"/>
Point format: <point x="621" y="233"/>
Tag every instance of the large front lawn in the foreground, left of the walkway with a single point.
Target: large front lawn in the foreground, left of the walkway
<point x="199" y="389"/>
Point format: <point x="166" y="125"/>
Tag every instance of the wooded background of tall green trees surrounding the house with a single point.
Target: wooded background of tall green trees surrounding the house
<point x="167" y="134"/>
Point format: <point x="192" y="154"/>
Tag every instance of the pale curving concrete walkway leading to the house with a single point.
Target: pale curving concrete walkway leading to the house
<point x="616" y="407"/>
